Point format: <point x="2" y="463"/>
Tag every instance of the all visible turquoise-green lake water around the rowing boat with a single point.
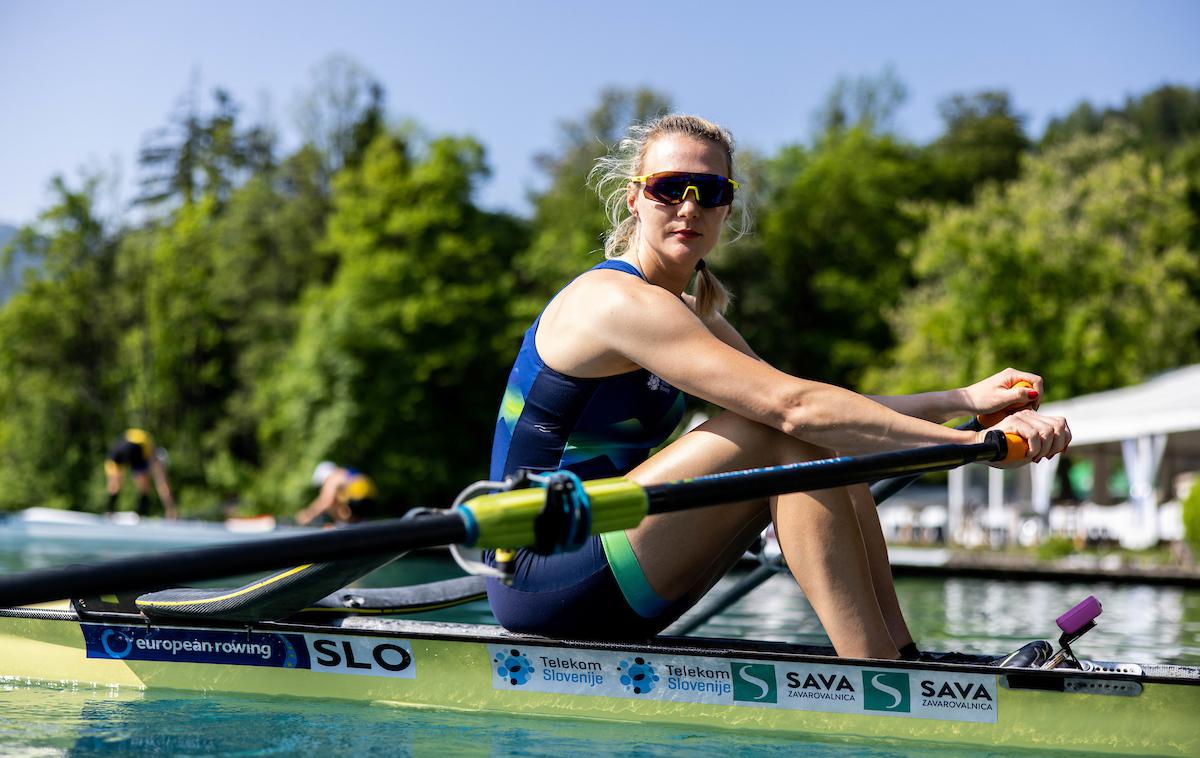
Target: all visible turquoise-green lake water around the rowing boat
<point x="1139" y="624"/>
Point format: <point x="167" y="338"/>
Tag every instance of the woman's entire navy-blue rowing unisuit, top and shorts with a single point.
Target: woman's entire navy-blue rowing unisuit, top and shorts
<point x="596" y="429"/>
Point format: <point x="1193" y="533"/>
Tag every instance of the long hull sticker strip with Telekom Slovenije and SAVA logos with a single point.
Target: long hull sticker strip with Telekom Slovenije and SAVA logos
<point x="754" y="684"/>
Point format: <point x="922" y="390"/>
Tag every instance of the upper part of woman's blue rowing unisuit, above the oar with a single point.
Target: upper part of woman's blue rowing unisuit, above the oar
<point x="595" y="428"/>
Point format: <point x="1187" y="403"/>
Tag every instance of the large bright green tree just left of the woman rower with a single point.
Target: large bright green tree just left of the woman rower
<point x="399" y="363"/>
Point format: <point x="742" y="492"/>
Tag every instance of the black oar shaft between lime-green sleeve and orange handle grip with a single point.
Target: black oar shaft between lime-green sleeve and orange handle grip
<point x="749" y="485"/>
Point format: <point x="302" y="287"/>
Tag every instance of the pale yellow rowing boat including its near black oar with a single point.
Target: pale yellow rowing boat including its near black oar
<point x="226" y="641"/>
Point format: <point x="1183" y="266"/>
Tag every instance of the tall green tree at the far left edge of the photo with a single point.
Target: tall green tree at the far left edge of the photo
<point x="58" y="338"/>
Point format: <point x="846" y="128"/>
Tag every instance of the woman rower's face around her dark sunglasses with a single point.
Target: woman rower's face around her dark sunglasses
<point x="687" y="232"/>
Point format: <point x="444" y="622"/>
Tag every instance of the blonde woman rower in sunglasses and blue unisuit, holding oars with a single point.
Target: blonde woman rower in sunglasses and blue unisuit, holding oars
<point x="599" y="383"/>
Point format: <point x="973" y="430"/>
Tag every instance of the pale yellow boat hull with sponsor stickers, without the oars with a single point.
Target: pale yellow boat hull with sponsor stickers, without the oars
<point x="682" y="683"/>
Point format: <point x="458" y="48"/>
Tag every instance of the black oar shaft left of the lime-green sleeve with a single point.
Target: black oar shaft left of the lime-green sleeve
<point x="141" y="574"/>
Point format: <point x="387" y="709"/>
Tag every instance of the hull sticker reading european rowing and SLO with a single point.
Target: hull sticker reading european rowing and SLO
<point x="369" y="657"/>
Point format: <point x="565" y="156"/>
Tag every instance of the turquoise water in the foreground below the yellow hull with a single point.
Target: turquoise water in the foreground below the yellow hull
<point x="103" y="723"/>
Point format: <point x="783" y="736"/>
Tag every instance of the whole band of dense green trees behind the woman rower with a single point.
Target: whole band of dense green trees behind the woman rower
<point x="352" y="302"/>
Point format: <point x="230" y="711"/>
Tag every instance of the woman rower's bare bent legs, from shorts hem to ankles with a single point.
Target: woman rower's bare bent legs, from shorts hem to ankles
<point x="686" y="554"/>
